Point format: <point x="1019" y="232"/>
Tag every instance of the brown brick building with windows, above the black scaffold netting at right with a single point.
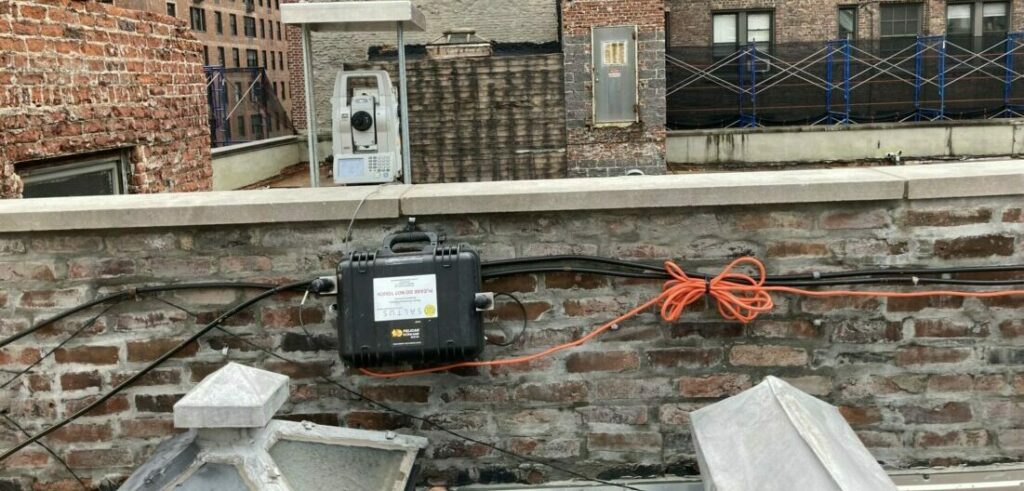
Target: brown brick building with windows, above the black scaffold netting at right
<point x="734" y="23"/>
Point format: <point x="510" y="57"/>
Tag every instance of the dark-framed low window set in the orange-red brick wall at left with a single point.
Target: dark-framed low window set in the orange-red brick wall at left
<point x="94" y="176"/>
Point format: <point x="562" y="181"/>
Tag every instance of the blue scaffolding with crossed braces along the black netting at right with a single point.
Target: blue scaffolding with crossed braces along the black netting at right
<point x="936" y="68"/>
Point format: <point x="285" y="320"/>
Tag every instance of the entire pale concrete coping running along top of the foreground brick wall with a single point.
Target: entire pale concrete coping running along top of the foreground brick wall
<point x="677" y="191"/>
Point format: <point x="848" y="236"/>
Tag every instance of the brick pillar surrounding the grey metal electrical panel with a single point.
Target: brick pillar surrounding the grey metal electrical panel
<point x="596" y="151"/>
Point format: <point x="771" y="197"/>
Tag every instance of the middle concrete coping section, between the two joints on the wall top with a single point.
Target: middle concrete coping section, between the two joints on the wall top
<point x="654" y="192"/>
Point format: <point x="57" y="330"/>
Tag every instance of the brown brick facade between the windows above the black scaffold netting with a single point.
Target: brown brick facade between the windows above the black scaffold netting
<point x="804" y="21"/>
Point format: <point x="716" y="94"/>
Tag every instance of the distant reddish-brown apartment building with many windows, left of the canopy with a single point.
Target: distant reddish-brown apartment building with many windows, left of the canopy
<point x="239" y="34"/>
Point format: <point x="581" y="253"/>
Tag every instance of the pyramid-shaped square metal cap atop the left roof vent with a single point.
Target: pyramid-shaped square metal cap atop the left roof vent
<point x="235" y="396"/>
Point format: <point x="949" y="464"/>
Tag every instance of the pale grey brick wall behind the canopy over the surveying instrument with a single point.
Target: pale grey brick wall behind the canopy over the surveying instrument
<point x="500" y="21"/>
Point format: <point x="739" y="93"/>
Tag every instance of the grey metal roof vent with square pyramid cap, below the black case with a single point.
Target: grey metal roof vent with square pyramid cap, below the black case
<point x="233" y="445"/>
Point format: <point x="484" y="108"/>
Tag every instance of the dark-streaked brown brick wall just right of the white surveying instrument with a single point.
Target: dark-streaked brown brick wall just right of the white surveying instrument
<point x="498" y="118"/>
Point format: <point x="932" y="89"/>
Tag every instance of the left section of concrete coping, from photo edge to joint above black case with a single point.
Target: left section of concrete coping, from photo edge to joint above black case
<point x="183" y="210"/>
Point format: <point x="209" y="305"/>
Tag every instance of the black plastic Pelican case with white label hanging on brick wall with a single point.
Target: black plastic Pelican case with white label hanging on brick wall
<point x="389" y="315"/>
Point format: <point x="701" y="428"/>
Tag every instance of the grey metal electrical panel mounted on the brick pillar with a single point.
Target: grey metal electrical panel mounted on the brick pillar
<point x="615" y="53"/>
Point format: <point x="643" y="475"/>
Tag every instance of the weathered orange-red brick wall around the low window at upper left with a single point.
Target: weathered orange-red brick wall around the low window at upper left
<point x="79" y="77"/>
